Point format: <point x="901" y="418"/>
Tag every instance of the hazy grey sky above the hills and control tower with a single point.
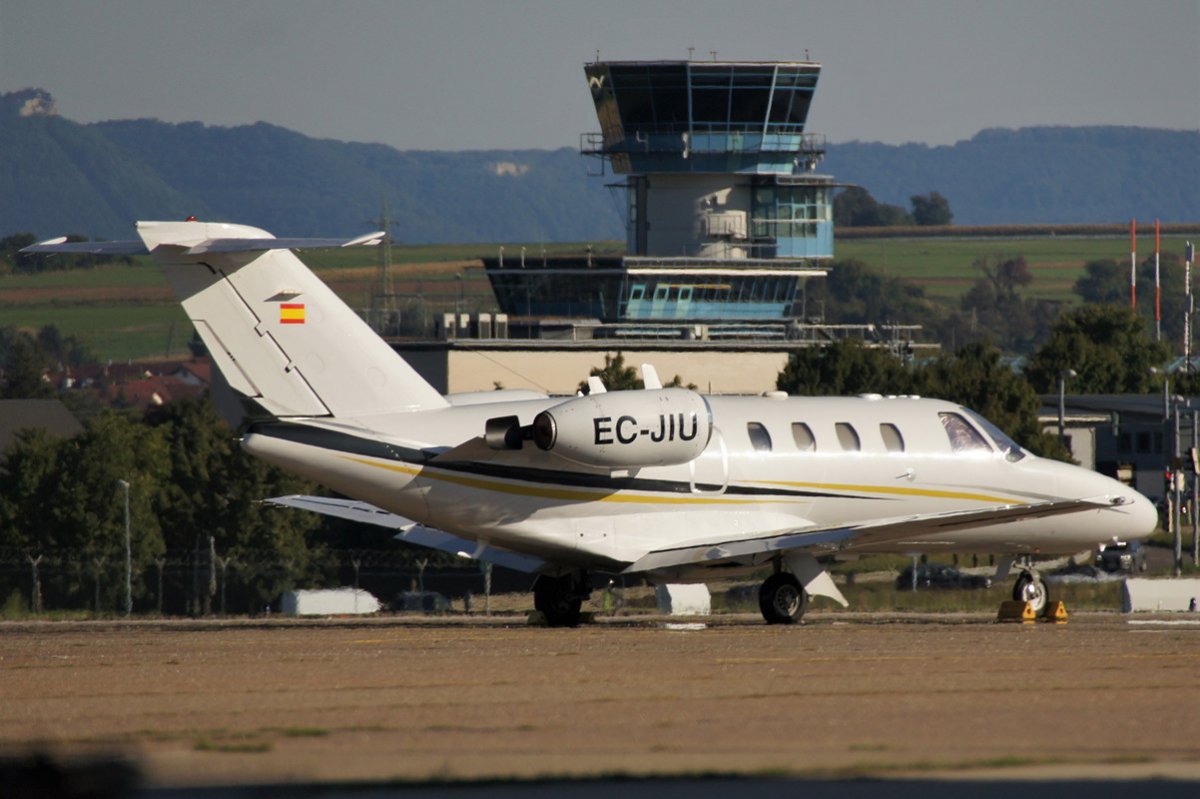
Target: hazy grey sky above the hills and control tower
<point x="483" y="75"/>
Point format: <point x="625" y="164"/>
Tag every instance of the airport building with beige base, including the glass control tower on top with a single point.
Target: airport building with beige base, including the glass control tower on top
<point x="727" y="219"/>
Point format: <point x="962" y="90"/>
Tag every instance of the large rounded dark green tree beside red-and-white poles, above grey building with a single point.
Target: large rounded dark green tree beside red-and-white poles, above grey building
<point x="1108" y="349"/>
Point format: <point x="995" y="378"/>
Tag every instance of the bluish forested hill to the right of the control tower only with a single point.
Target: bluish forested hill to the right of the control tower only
<point x="1037" y="175"/>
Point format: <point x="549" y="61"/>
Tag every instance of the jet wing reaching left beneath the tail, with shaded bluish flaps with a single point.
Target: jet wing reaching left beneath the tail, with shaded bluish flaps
<point x="410" y="531"/>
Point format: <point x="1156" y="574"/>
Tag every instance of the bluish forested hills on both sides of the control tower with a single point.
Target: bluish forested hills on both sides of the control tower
<point x="61" y="177"/>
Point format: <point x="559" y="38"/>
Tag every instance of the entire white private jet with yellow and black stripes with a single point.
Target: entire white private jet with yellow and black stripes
<point x="663" y="484"/>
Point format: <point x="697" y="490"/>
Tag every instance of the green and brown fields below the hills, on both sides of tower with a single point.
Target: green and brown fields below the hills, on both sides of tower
<point x="128" y="313"/>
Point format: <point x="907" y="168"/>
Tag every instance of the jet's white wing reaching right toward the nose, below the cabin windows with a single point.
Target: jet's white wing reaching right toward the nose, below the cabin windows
<point x="896" y="531"/>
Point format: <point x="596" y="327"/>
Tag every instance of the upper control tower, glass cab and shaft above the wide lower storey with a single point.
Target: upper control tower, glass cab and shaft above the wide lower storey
<point x="717" y="158"/>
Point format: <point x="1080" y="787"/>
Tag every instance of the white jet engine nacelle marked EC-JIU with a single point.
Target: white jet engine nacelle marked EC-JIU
<point x="623" y="430"/>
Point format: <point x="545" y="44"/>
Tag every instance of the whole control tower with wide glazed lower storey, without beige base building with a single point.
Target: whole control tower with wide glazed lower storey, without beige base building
<point x="725" y="214"/>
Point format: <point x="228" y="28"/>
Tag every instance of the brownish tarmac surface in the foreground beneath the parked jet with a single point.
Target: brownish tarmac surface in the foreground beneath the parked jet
<point x="943" y="698"/>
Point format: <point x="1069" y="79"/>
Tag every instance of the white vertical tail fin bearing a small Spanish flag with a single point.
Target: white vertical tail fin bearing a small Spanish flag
<point x="280" y="337"/>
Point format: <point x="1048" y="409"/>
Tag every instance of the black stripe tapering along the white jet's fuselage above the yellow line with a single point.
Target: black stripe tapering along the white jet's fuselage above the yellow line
<point x="351" y="444"/>
